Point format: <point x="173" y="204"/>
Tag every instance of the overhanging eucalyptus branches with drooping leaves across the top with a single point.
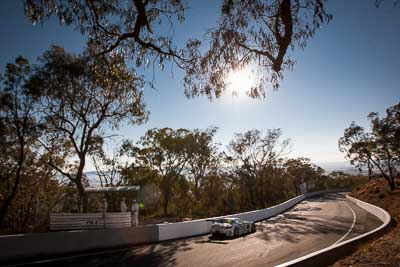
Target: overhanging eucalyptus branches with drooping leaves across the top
<point x="247" y="33"/>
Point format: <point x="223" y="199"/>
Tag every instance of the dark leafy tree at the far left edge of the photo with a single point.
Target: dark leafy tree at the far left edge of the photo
<point x="28" y="188"/>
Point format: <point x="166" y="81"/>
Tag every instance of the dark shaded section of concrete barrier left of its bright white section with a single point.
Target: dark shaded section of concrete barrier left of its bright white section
<point x="16" y="247"/>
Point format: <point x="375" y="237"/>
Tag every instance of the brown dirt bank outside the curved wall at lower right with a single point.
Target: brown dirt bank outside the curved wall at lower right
<point x="384" y="251"/>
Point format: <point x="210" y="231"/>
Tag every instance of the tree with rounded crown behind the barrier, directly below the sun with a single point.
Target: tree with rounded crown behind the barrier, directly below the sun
<point x="253" y="157"/>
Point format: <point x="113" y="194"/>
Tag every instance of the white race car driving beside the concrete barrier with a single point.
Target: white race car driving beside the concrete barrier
<point x="231" y="227"/>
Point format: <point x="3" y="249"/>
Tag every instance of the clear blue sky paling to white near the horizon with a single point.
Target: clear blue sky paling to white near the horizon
<point x="348" y="69"/>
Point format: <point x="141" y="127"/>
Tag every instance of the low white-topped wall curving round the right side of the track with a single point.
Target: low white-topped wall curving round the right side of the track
<point x="332" y="253"/>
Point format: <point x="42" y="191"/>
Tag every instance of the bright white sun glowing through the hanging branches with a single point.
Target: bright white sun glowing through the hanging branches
<point x="240" y="81"/>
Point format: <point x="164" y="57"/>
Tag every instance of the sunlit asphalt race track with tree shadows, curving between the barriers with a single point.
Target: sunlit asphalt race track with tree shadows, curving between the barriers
<point x="310" y="226"/>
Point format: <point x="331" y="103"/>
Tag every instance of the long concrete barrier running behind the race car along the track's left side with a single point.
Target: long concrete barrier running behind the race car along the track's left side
<point x="30" y="245"/>
